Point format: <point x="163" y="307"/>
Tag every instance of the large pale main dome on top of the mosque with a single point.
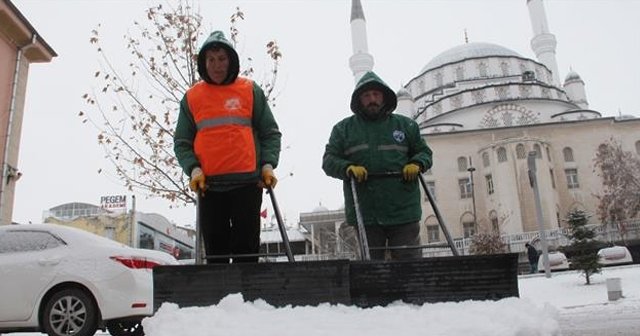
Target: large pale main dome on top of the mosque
<point x="466" y="51"/>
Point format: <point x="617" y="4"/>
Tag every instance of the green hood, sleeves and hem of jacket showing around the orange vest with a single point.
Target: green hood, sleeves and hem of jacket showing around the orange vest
<point x="265" y="129"/>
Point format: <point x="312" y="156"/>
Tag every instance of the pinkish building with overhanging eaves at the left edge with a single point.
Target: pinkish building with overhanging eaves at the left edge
<point x="20" y="46"/>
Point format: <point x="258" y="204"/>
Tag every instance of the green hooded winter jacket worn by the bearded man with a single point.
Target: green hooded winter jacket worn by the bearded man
<point x="383" y="145"/>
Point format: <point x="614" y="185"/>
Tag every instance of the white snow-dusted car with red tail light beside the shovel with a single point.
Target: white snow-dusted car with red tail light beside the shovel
<point x="65" y="281"/>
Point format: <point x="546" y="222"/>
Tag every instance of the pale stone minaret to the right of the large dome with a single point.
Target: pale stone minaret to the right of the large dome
<point x="543" y="42"/>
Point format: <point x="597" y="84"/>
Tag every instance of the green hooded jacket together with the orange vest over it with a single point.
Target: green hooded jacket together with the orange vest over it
<point x="195" y="135"/>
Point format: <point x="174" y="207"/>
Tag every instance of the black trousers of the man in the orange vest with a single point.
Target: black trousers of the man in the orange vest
<point x="230" y="223"/>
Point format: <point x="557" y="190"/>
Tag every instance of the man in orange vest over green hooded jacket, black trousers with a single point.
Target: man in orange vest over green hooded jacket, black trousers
<point x="228" y="142"/>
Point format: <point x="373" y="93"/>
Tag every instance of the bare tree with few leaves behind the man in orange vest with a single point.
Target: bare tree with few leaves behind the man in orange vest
<point x="135" y="110"/>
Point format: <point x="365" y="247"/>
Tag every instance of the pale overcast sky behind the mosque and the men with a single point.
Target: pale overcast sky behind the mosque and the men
<point x="60" y="158"/>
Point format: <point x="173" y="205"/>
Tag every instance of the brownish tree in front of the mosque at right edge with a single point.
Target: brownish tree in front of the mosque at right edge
<point x="620" y="173"/>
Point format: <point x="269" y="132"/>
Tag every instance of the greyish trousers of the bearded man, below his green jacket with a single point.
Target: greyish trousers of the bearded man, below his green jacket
<point x="394" y="235"/>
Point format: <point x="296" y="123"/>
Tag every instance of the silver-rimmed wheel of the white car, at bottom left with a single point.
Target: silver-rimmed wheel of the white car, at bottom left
<point x="70" y="311"/>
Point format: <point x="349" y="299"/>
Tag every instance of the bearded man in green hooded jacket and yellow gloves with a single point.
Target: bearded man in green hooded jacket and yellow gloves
<point x="374" y="140"/>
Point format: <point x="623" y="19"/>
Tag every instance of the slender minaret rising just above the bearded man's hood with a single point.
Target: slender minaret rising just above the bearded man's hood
<point x="361" y="61"/>
